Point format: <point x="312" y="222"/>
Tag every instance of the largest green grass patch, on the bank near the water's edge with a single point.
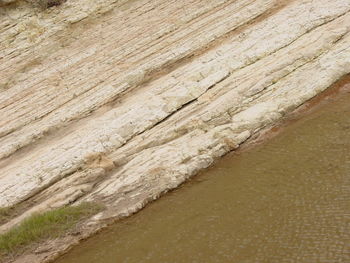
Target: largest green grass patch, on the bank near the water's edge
<point x="43" y="226"/>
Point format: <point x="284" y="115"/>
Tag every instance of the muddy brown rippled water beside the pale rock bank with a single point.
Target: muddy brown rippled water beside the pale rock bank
<point x="284" y="200"/>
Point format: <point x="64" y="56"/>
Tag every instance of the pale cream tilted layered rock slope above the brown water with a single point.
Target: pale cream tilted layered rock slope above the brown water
<point x="120" y="101"/>
